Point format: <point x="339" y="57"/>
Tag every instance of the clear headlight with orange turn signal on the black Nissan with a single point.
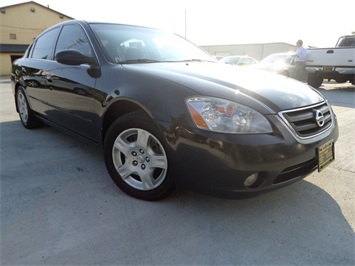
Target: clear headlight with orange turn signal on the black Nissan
<point x="225" y="116"/>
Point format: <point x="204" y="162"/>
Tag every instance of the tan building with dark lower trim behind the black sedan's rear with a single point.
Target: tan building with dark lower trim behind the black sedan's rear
<point x="19" y="26"/>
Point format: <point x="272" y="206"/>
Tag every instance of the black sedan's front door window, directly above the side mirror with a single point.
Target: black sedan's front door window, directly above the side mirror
<point x="73" y="37"/>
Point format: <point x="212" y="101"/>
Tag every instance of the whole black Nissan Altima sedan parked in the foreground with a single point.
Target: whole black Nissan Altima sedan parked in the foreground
<point x="166" y="113"/>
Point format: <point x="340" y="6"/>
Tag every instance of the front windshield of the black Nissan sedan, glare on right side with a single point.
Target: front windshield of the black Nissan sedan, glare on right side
<point x="132" y="44"/>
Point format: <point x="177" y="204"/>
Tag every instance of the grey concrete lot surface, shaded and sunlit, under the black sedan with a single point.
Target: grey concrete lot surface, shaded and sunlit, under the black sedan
<point x="60" y="207"/>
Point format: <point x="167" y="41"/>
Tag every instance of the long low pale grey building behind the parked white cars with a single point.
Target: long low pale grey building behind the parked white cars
<point x="258" y="51"/>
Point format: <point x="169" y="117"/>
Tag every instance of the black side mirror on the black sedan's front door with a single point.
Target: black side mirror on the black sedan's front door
<point x="74" y="58"/>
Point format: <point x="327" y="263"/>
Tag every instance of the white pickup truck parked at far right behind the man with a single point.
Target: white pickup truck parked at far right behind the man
<point x="336" y="63"/>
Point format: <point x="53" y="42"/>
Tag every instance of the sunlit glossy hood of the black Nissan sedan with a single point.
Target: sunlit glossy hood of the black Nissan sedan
<point x="210" y="79"/>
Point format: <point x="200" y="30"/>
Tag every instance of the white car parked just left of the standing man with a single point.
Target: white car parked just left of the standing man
<point x="280" y="63"/>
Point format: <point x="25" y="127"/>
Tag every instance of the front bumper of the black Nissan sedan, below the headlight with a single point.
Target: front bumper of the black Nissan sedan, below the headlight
<point x="218" y="164"/>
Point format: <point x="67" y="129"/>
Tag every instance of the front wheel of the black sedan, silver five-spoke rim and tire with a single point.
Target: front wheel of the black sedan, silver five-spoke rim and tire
<point x="137" y="159"/>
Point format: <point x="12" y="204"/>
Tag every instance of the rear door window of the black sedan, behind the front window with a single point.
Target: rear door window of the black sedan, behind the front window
<point x="43" y="48"/>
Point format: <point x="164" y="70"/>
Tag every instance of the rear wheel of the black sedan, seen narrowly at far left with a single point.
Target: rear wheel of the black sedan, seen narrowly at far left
<point x="27" y="117"/>
